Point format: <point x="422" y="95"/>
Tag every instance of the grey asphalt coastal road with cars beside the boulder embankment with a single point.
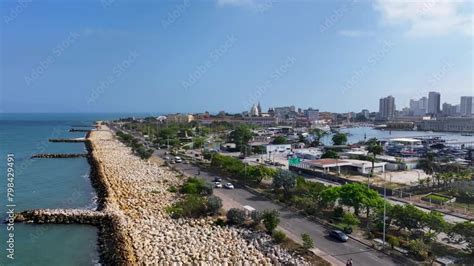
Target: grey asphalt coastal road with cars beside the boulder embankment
<point x="296" y="225"/>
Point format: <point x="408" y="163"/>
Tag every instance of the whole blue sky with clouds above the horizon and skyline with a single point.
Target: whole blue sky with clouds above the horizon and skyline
<point x="196" y="56"/>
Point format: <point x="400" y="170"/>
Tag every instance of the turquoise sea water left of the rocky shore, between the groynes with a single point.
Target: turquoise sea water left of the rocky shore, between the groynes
<point x="47" y="183"/>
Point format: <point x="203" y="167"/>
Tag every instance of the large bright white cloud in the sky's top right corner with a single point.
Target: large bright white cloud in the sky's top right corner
<point x="428" y="17"/>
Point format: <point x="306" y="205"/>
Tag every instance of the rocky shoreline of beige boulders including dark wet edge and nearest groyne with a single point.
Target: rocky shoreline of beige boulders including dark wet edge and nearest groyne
<point x="134" y="227"/>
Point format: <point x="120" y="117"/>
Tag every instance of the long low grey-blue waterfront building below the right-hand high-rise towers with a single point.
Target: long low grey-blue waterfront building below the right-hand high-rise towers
<point x="448" y="124"/>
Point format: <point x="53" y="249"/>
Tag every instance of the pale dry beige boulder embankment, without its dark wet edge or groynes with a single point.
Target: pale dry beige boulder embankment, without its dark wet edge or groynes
<point x="136" y="193"/>
